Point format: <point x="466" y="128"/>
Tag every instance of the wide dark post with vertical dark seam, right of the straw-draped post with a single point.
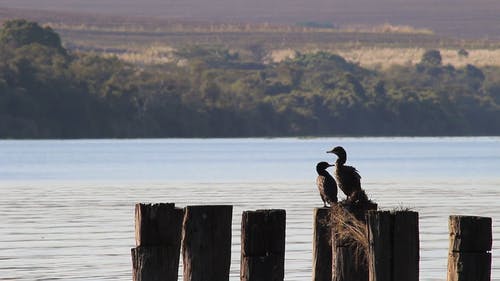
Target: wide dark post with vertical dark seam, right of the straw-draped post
<point x="394" y="246"/>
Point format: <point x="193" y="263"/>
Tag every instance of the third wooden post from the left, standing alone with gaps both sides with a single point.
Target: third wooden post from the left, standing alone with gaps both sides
<point x="263" y="245"/>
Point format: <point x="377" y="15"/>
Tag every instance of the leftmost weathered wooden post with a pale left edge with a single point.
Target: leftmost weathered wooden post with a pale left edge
<point x="158" y="242"/>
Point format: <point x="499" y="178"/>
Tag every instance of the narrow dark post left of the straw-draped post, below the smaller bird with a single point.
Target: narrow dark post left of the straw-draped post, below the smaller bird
<point x="322" y="248"/>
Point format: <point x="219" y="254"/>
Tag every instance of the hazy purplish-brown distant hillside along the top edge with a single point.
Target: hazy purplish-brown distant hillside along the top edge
<point x="472" y="19"/>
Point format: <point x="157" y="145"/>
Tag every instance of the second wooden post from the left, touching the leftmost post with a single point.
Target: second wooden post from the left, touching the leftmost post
<point x="206" y="243"/>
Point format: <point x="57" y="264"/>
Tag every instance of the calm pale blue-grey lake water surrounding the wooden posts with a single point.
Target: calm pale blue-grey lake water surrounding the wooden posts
<point x="67" y="207"/>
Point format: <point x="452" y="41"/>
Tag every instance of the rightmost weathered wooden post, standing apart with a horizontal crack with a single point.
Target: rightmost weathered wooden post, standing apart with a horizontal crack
<point x="469" y="256"/>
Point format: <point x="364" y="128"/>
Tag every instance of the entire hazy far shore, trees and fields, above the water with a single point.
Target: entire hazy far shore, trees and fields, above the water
<point x="220" y="68"/>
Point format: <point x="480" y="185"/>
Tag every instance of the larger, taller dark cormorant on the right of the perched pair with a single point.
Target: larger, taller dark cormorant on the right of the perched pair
<point x="347" y="177"/>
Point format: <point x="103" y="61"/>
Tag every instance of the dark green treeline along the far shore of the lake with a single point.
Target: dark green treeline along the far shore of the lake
<point x="49" y="92"/>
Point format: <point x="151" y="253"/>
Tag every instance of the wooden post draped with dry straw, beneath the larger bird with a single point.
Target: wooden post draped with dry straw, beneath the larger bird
<point x="348" y="260"/>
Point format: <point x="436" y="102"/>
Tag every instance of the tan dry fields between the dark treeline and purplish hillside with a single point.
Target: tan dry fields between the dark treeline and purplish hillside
<point x="154" y="40"/>
